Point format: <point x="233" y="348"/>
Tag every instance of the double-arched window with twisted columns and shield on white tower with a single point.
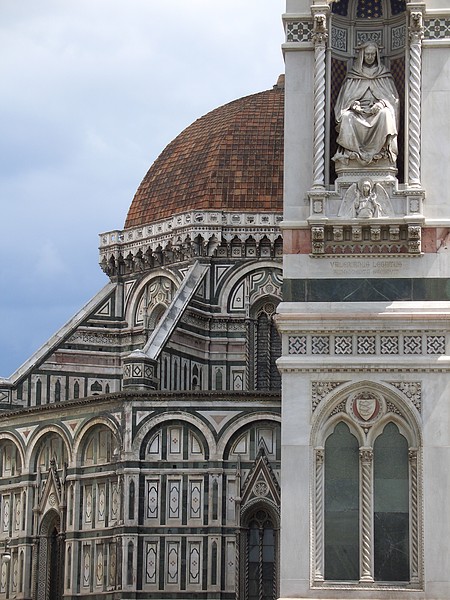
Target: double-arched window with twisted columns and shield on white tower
<point x="366" y="490"/>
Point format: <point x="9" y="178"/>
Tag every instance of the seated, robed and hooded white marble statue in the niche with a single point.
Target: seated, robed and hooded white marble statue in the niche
<point x="367" y="111"/>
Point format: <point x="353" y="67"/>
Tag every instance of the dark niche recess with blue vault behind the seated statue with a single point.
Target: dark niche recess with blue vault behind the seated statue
<point x="353" y="22"/>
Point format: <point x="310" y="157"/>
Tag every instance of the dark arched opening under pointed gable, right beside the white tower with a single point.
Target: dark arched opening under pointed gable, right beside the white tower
<point x="259" y="554"/>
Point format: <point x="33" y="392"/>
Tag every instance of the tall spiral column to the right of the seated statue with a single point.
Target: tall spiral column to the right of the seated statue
<point x="414" y="96"/>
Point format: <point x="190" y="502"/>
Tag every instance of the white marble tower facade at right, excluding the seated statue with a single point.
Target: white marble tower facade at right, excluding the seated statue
<point x="365" y="316"/>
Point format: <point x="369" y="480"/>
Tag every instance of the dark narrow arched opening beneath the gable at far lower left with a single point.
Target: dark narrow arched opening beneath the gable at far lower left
<point x="50" y="569"/>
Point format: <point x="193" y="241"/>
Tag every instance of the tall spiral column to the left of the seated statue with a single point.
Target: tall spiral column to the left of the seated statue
<point x="319" y="38"/>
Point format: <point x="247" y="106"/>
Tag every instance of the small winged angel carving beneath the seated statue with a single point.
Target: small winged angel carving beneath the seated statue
<point x="364" y="200"/>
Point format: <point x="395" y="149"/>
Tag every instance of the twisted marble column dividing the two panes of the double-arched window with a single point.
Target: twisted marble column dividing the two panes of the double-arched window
<point x="366" y="457"/>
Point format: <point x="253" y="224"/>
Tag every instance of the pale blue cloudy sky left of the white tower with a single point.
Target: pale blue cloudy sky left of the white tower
<point x="92" y="92"/>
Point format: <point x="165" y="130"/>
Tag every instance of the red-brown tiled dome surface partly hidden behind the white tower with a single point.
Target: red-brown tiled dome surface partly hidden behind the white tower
<point x="230" y="159"/>
